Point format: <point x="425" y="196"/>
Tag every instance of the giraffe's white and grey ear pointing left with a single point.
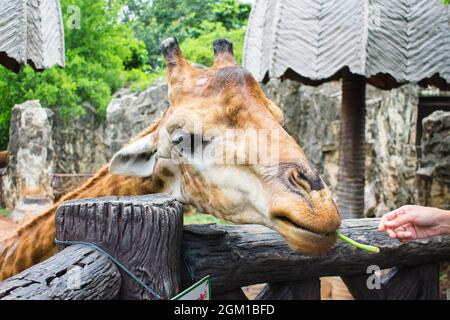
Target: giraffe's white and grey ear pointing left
<point x="138" y="159"/>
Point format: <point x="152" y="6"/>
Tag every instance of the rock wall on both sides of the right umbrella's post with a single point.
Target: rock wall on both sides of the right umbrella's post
<point x="312" y="116"/>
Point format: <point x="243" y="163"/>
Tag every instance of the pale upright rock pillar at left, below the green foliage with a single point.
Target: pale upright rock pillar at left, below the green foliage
<point x="27" y="182"/>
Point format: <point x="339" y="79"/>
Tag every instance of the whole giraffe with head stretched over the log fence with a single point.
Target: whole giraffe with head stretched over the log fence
<point x="287" y="195"/>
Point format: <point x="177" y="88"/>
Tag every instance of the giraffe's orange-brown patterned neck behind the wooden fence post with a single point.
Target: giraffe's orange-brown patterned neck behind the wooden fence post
<point x="34" y="242"/>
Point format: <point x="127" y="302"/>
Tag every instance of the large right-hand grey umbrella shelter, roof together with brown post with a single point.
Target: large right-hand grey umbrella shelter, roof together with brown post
<point x="383" y="42"/>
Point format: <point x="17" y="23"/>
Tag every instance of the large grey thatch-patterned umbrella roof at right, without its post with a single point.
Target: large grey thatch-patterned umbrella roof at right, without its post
<point x="316" y="39"/>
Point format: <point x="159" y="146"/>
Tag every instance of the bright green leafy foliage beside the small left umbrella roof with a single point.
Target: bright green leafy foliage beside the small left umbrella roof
<point x="100" y="54"/>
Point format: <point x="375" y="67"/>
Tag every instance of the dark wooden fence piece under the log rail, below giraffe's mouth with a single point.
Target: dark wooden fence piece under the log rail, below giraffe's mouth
<point x="291" y="291"/>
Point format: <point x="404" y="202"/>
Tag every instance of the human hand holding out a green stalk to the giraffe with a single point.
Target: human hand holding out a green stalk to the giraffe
<point x="415" y="222"/>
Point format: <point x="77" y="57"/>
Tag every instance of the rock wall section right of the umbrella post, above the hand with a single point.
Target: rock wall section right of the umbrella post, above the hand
<point x="391" y="160"/>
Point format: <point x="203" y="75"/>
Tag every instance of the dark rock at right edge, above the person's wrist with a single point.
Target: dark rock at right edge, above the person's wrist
<point x="434" y="166"/>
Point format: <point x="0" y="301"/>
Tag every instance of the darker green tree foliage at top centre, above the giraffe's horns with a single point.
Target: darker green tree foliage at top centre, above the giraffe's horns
<point x="155" y="20"/>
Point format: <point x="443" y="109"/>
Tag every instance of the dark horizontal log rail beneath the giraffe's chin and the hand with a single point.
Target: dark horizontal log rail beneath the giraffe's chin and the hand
<point x="237" y="256"/>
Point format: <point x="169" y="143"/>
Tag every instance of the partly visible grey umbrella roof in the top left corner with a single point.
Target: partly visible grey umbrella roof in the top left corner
<point x="31" y="31"/>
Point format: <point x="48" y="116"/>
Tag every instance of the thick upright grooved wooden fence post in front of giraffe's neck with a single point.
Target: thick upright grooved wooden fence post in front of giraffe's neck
<point x="144" y="233"/>
